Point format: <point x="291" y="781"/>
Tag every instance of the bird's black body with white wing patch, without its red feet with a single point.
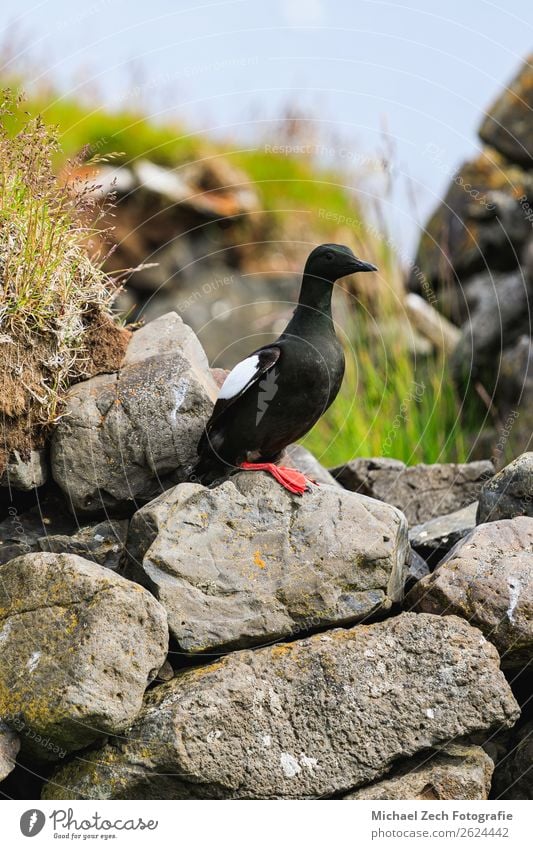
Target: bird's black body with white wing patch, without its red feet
<point x="276" y="395"/>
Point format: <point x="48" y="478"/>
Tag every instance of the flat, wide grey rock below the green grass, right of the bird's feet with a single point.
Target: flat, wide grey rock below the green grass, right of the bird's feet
<point x="422" y="492"/>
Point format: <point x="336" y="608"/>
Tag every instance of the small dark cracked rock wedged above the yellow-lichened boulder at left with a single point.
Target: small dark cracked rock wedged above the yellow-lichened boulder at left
<point x="103" y="543"/>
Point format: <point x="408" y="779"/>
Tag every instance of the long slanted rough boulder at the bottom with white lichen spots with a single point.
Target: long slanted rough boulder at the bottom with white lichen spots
<point x="302" y="720"/>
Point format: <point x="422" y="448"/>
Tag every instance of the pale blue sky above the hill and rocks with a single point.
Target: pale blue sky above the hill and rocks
<point x="423" y="70"/>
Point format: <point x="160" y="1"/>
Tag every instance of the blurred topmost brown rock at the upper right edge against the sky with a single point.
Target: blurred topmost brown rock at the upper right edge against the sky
<point x="507" y="125"/>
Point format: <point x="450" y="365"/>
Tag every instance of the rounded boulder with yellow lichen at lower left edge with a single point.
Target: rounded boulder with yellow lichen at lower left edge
<point x="78" y="646"/>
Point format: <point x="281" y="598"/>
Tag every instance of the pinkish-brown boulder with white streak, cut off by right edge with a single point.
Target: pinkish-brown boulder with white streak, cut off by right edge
<point x="488" y="579"/>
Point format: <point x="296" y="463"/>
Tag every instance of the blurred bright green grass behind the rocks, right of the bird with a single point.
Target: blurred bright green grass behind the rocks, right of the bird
<point x="391" y="404"/>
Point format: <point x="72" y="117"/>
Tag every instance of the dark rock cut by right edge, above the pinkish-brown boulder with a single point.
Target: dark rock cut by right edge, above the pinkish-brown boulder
<point x="509" y="493"/>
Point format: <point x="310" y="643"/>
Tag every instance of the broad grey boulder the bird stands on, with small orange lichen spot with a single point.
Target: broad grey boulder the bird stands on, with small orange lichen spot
<point x="248" y="562"/>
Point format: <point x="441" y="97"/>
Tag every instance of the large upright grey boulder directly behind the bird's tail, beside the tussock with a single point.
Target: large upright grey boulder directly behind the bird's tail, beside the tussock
<point x="124" y="432"/>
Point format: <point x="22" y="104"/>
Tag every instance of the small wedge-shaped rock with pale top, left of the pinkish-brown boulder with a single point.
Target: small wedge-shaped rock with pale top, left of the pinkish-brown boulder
<point x="435" y="538"/>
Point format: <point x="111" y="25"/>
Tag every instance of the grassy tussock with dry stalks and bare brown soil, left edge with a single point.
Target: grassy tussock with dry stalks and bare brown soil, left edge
<point x="54" y="295"/>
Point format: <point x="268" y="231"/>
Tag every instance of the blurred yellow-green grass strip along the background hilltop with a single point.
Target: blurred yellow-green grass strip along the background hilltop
<point x="282" y="181"/>
